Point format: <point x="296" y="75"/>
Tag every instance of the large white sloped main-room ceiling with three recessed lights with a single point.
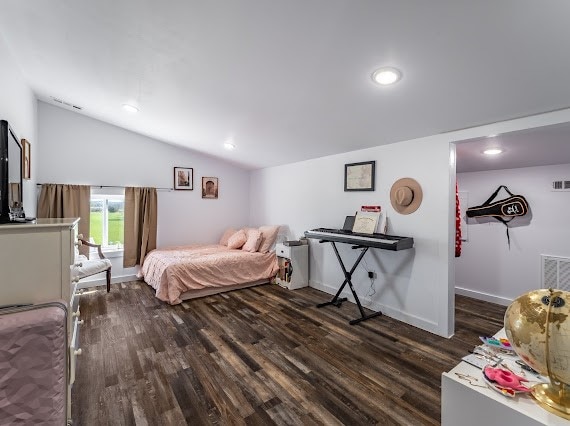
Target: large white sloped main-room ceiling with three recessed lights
<point x="290" y="80"/>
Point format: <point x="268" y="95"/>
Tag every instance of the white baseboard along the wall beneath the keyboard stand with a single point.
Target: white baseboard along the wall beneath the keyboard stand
<point x="391" y="312"/>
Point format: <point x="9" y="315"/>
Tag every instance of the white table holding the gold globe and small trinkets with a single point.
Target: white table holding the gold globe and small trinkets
<point x="465" y="405"/>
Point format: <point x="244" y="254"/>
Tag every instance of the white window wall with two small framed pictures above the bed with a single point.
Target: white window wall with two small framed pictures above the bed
<point x="76" y="149"/>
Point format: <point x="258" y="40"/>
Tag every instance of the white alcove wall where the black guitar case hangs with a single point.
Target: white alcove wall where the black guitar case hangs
<point x="487" y="269"/>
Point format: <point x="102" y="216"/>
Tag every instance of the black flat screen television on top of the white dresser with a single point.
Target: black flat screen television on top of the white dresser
<point x="10" y="174"/>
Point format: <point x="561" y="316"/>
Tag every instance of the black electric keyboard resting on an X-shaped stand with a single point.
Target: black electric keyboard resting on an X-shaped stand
<point x="382" y="241"/>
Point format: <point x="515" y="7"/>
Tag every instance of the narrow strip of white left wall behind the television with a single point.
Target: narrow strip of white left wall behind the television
<point x="18" y="106"/>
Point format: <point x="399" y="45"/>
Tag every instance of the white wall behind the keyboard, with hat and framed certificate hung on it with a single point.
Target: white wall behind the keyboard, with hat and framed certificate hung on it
<point x="416" y="286"/>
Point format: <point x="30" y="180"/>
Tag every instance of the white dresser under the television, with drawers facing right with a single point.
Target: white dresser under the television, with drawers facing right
<point x="35" y="266"/>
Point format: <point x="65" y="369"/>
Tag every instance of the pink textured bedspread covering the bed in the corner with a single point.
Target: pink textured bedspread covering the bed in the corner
<point x="174" y="270"/>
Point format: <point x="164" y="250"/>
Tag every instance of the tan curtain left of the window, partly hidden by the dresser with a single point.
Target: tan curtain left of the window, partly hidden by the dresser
<point x="59" y="201"/>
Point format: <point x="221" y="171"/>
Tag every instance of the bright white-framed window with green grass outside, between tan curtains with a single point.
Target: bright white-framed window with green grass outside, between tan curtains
<point x="107" y="220"/>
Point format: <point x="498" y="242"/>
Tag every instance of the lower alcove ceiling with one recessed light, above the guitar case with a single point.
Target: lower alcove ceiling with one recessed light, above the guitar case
<point x="541" y="146"/>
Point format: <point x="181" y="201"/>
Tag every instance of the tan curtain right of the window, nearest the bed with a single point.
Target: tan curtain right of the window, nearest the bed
<point x="140" y="224"/>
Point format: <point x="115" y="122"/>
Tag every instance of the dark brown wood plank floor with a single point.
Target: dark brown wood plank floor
<point x="260" y="356"/>
